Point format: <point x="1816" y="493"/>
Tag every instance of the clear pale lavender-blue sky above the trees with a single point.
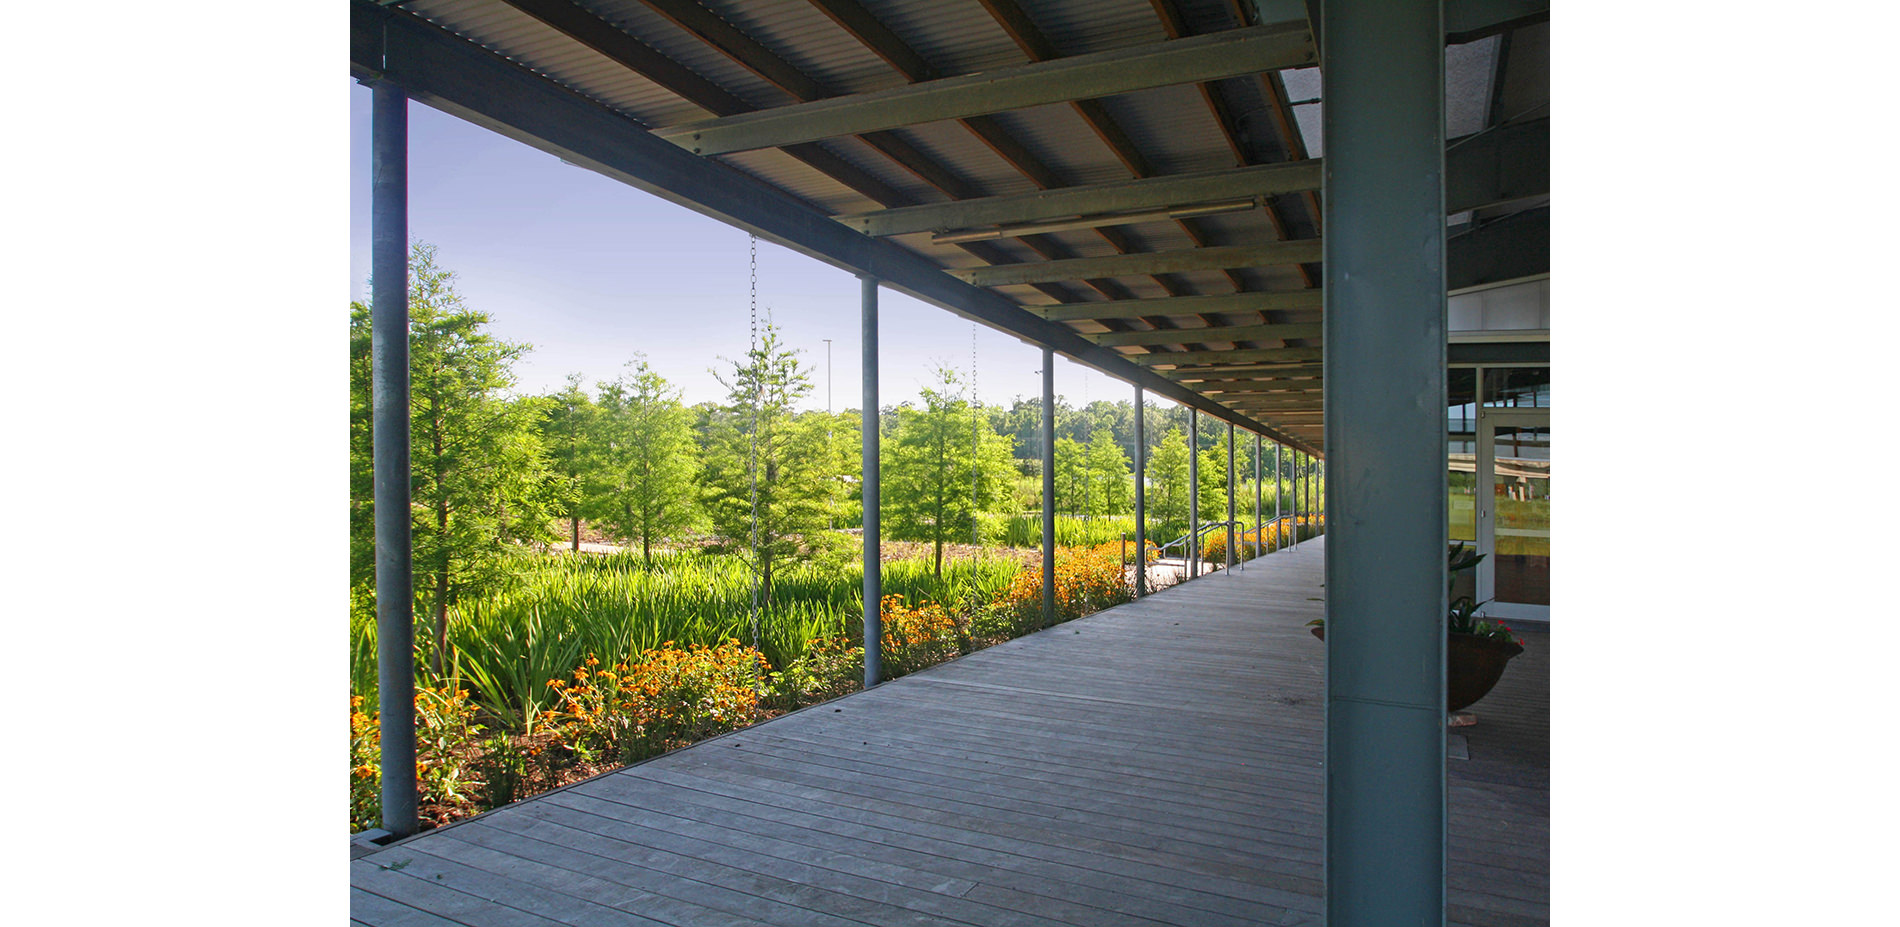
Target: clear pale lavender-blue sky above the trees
<point x="590" y="271"/>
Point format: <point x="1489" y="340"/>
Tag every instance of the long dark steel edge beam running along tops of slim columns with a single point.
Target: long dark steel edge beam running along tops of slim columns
<point x="457" y="77"/>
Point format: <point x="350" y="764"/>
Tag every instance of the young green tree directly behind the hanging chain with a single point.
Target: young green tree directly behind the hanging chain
<point x="755" y="451"/>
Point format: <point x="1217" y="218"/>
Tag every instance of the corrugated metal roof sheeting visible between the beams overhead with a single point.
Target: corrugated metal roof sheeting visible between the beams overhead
<point x="1173" y="130"/>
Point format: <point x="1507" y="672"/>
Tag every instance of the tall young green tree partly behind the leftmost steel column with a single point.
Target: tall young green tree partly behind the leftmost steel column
<point x="480" y="474"/>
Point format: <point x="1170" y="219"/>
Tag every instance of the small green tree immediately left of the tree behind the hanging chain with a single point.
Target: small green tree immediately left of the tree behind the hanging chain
<point x="645" y="478"/>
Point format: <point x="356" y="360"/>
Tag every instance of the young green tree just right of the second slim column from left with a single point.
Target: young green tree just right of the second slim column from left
<point x="938" y="480"/>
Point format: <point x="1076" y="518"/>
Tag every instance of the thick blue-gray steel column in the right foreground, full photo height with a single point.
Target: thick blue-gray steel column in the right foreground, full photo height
<point x="1384" y="354"/>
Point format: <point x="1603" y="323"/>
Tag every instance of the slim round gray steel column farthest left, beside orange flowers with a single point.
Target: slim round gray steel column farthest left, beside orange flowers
<point x="389" y="350"/>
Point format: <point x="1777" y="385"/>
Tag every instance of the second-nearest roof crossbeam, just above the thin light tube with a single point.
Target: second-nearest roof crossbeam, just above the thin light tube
<point x="1122" y="197"/>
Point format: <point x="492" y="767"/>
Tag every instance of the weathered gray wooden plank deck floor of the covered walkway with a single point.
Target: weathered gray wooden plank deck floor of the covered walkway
<point x="1154" y="765"/>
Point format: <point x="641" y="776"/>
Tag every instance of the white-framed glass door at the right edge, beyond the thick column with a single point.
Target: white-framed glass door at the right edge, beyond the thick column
<point x="1513" y="501"/>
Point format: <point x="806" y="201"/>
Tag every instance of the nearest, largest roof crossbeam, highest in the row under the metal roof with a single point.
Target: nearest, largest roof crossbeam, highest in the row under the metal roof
<point x="1099" y="75"/>
